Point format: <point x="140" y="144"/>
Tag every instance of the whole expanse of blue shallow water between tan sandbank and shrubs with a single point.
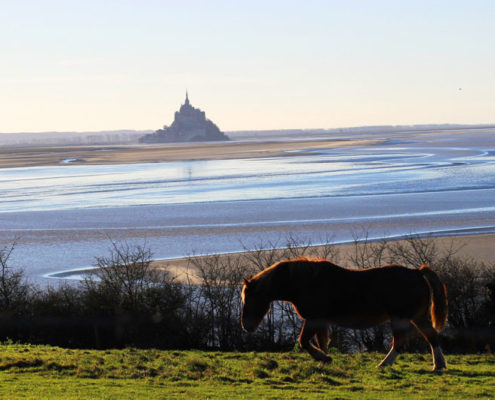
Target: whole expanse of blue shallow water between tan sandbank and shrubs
<point x="64" y="215"/>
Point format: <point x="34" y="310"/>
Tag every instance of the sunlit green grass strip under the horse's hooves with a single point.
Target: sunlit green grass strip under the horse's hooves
<point x="43" y="372"/>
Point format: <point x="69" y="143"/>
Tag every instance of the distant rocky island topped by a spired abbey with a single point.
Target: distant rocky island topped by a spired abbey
<point x="190" y="125"/>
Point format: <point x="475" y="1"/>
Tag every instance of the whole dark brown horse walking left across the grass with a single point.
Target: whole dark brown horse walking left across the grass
<point x="323" y="293"/>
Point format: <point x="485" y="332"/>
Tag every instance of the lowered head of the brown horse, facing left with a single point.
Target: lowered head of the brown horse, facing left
<point x="255" y="304"/>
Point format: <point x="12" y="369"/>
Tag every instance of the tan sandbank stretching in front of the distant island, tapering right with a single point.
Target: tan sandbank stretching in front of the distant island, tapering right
<point x="136" y="154"/>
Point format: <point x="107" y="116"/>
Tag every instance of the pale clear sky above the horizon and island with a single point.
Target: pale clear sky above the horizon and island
<point x="84" y="65"/>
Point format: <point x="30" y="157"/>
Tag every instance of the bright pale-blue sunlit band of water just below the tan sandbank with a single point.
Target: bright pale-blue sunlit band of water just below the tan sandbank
<point x="336" y="173"/>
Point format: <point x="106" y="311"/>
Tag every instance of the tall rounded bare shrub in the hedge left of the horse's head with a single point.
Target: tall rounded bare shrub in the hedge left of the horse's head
<point x="133" y="301"/>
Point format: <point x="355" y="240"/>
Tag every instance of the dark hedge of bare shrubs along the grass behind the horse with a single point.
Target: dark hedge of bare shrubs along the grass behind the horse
<point x="127" y="302"/>
